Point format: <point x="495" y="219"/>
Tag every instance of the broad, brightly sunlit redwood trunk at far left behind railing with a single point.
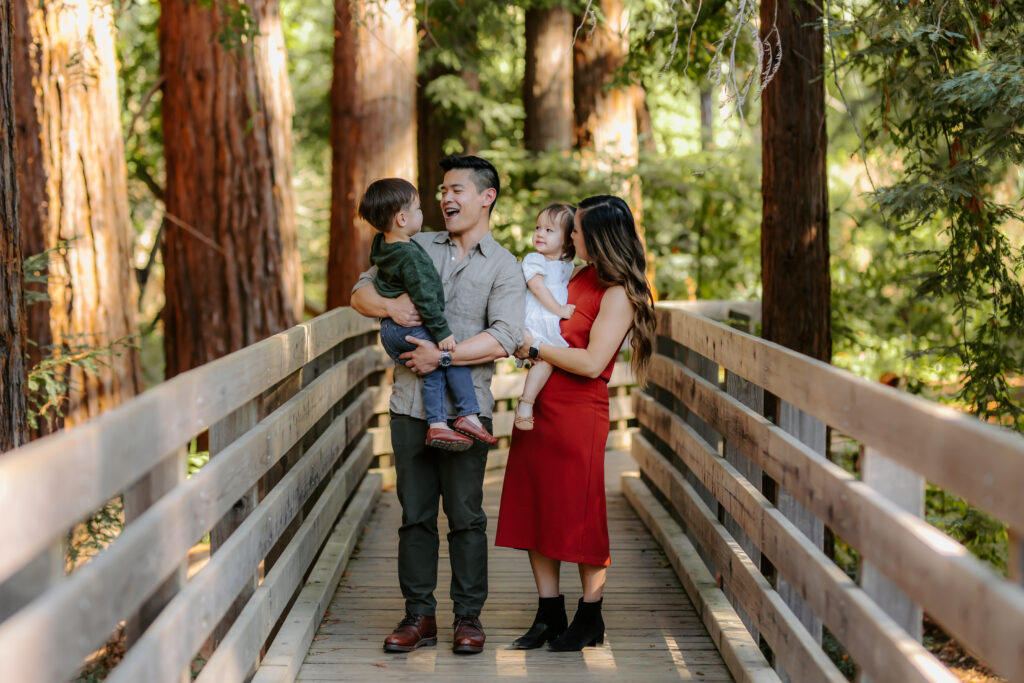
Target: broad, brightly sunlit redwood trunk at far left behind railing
<point x="72" y="165"/>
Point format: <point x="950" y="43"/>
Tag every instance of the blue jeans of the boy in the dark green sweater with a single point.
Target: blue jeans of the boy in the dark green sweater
<point x="458" y="378"/>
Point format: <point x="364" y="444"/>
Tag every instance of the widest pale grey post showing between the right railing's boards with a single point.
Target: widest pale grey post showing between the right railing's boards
<point x="907" y="489"/>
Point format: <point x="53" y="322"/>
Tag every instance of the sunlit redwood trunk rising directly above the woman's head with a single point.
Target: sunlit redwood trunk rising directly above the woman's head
<point x="607" y="115"/>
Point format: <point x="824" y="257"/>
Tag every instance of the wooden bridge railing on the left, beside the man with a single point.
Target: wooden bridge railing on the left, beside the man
<point x="287" y="423"/>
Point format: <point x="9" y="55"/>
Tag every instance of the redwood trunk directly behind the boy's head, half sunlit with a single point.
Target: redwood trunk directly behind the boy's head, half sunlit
<point x="373" y="124"/>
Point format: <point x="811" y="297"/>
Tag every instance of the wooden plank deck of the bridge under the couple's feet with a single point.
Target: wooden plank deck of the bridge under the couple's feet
<point x="653" y="633"/>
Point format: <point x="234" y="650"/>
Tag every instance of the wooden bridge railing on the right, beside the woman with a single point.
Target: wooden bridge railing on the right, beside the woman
<point x="745" y="502"/>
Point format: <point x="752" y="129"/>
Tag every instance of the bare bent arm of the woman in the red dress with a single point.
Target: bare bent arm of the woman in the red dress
<point x="614" y="320"/>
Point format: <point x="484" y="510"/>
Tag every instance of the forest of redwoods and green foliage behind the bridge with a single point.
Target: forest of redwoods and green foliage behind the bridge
<point x="924" y="114"/>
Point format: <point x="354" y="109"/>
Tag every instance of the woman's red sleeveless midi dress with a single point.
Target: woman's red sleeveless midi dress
<point x="553" y="496"/>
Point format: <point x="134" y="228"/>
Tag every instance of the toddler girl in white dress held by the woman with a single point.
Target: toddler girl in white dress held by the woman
<point x="547" y="272"/>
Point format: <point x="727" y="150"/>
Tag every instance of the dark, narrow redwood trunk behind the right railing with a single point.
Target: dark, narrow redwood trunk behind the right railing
<point x="795" y="189"/>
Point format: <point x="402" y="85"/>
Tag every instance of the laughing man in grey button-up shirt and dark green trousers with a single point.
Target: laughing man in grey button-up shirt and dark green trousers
<point x="485" y="296"/>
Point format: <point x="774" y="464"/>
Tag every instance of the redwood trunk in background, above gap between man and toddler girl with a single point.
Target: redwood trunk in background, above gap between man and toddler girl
<point x="547" y="89"/>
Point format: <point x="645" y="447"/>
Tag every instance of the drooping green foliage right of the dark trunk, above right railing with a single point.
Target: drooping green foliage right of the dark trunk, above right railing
<point x="952" y="86"/>
